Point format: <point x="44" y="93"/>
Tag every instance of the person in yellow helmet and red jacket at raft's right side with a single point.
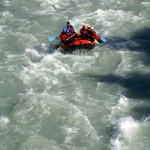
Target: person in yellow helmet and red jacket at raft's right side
<point x="92" y="35"/>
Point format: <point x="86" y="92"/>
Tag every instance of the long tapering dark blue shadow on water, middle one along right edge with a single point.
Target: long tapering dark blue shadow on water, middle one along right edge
<point x="137" y="84"/>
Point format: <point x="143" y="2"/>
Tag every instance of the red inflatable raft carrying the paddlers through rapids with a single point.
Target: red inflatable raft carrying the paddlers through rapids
<point x="78" y="43"/>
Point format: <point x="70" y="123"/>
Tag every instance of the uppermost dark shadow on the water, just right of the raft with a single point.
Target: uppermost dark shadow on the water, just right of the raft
<point x="137" y="41"/>
